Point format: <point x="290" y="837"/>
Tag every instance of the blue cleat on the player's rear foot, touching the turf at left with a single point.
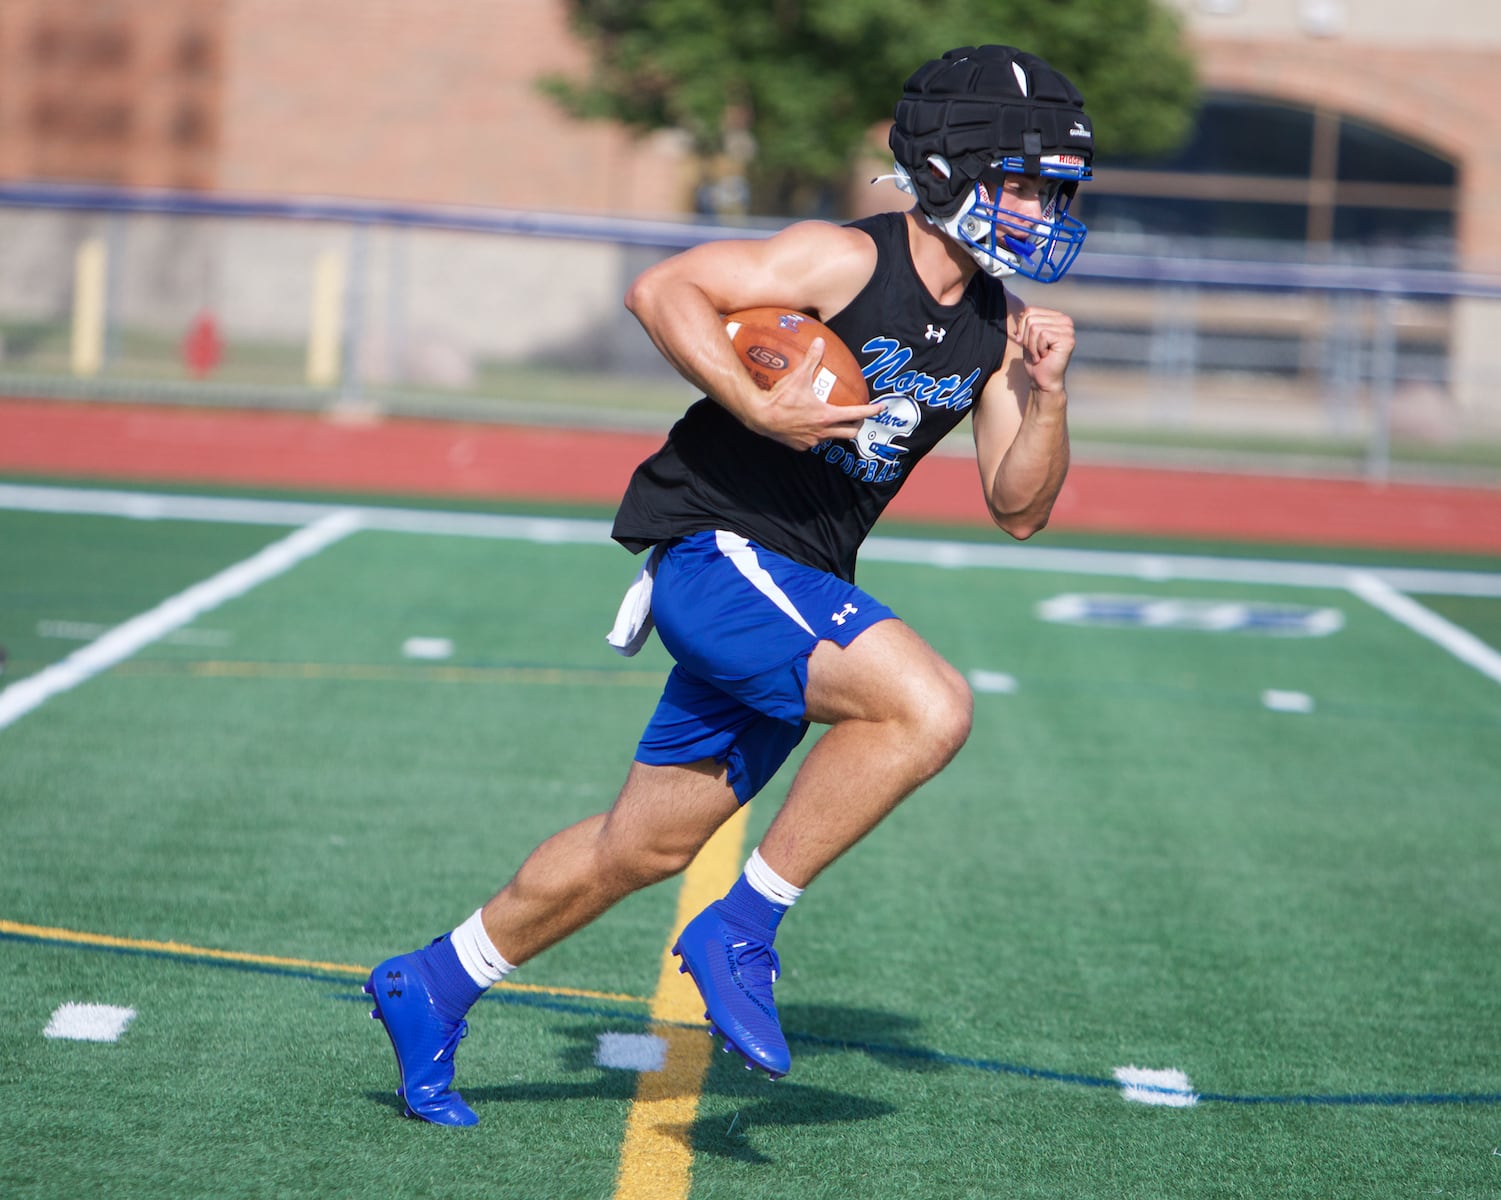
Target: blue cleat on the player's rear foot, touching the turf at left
<point x="423" y="1040"/>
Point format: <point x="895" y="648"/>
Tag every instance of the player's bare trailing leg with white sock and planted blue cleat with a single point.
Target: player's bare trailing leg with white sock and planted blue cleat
<point x="661" y="819"/>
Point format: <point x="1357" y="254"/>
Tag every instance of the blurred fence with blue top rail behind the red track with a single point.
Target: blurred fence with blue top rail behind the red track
<point x="317" y="303"/>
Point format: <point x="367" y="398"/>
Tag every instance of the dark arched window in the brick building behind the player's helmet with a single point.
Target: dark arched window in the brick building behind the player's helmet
<point x="1266" y="170"/>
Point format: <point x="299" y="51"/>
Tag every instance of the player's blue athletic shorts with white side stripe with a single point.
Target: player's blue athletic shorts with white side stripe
<point x="742" y="621"/>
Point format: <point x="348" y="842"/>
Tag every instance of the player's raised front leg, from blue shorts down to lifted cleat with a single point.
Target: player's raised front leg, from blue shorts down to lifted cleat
<point x="796" y="644"/>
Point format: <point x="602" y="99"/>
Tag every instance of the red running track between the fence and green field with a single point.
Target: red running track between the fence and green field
<point x="445" y="459"/>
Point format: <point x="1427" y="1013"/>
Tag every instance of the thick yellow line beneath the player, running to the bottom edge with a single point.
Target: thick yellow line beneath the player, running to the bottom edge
<point x="657" y="1157"/>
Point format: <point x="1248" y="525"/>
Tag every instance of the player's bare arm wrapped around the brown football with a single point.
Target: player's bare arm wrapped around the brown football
<point x="813" y="267"/>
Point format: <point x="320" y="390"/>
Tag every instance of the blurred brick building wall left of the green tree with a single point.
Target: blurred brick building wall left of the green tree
<point x="432" y="101"/>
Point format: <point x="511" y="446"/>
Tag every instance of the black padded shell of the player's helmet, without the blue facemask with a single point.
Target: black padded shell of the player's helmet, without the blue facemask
<point x="964" y="113"/>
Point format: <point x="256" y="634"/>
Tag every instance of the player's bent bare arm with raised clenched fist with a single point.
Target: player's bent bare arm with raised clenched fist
<point x="1021" y="429"/>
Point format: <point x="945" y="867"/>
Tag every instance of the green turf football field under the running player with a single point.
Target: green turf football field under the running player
<point x="1178" y="840"/>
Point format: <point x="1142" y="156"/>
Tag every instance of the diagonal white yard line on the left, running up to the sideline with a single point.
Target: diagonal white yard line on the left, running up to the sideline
<point x="173" y="614"/>
